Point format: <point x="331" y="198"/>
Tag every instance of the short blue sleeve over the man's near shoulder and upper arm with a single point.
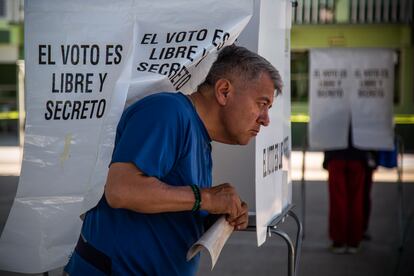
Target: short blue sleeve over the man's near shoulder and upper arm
<point x="152" y="136"/>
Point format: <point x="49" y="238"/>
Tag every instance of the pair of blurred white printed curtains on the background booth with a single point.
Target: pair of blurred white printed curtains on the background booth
<point x="351" y="88"/>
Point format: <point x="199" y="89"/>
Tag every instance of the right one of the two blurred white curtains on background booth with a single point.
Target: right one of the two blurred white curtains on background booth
<point x="372" y="100"/>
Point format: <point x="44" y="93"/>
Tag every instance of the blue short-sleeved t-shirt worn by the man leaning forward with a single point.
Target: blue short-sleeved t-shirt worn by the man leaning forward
<point x="164" y="137"/>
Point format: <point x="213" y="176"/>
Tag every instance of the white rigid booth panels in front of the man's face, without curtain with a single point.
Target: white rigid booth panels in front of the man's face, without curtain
<point x="261" y="170"/>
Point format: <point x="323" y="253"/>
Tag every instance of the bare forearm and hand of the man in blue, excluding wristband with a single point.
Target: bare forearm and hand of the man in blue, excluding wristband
<point x="129" y="188"/>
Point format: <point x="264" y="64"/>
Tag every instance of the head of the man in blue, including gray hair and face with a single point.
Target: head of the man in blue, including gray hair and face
<point x="244" y="85"/>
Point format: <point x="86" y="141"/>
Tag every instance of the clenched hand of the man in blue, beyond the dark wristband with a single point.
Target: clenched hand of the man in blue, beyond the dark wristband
<point x="223" y="199"/>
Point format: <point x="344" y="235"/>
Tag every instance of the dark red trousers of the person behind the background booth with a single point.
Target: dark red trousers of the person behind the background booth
<point x="346" y="193"/>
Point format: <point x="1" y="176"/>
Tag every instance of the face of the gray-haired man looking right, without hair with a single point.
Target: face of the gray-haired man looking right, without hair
<point x="247" y="109"/>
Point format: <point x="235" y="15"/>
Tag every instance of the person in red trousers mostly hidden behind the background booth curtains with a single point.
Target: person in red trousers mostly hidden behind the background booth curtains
<point x="348" y="172"/>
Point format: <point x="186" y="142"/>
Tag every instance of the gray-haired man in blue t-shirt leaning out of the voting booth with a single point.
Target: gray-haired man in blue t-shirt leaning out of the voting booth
<point x="158" y="190"/>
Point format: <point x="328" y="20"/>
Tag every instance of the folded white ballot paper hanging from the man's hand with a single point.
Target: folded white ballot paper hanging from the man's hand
<point x="213" y="240"/>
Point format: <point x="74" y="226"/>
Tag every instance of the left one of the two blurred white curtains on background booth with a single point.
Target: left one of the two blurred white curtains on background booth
<point x="329" y="106"/>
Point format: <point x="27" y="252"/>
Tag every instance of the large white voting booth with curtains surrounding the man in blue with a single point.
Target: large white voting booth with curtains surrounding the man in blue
<point x="86" y="61"/>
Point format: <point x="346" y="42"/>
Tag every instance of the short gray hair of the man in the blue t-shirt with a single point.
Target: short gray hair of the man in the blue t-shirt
<point x="238" y="61"/>
